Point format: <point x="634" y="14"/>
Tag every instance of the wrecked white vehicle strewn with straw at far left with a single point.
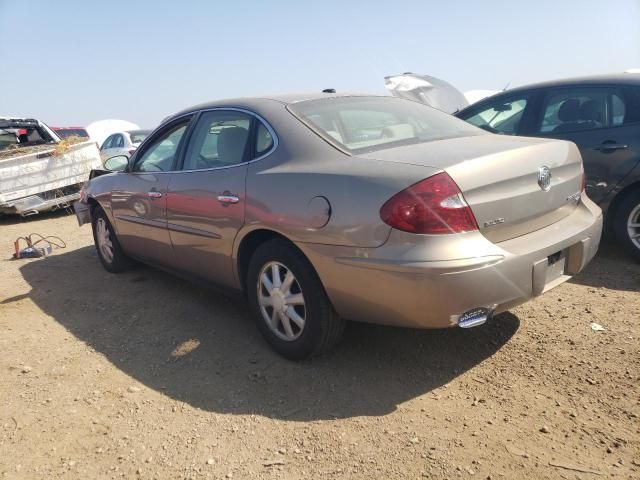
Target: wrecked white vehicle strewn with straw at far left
<point x="38" y="170"/>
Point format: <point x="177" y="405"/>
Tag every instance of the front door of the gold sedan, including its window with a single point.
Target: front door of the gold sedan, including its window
<point x="139" y="202"/>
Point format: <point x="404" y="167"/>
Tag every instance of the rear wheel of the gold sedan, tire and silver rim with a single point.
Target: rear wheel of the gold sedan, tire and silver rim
<point x="290" y="306"/>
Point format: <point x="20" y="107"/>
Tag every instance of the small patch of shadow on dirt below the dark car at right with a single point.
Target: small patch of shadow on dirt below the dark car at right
<point x="612" y="268"/>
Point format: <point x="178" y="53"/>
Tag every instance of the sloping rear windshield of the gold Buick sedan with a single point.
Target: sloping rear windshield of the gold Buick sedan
<point x="364" y="124"/>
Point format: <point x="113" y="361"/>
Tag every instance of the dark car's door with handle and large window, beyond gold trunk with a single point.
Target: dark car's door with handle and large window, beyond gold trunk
<point x="602" y="122"/>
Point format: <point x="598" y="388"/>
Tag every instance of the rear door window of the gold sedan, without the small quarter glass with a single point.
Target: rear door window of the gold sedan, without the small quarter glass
<point x="219" y="139"/>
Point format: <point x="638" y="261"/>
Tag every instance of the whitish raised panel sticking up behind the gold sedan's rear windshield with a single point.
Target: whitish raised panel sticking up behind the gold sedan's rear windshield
<point x="429" y="90"/>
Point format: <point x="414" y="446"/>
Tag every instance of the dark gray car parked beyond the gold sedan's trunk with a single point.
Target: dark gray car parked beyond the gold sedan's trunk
<point x="601" y="115"/>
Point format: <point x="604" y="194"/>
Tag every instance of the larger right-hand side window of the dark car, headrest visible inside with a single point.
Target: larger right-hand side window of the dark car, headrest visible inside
<point x="575" y="109"/>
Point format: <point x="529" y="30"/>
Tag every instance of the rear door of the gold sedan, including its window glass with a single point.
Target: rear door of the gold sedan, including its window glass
<point x="206" y="200"/>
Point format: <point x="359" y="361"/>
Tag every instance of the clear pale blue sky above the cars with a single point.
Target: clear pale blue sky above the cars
<point x="71" y="62"/>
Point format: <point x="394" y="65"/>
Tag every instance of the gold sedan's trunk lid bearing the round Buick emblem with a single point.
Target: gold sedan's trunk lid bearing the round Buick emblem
<point x="501" y="178"/>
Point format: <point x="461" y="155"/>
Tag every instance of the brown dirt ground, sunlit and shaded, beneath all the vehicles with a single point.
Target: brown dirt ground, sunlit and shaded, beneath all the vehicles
<point x="143" y="375"/>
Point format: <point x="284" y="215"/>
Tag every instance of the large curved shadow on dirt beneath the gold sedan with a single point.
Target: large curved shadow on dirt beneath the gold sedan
<point x="198" y="346"/>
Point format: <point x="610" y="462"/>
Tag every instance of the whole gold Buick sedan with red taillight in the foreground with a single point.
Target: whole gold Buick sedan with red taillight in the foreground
<point x="330" y="207"/>
